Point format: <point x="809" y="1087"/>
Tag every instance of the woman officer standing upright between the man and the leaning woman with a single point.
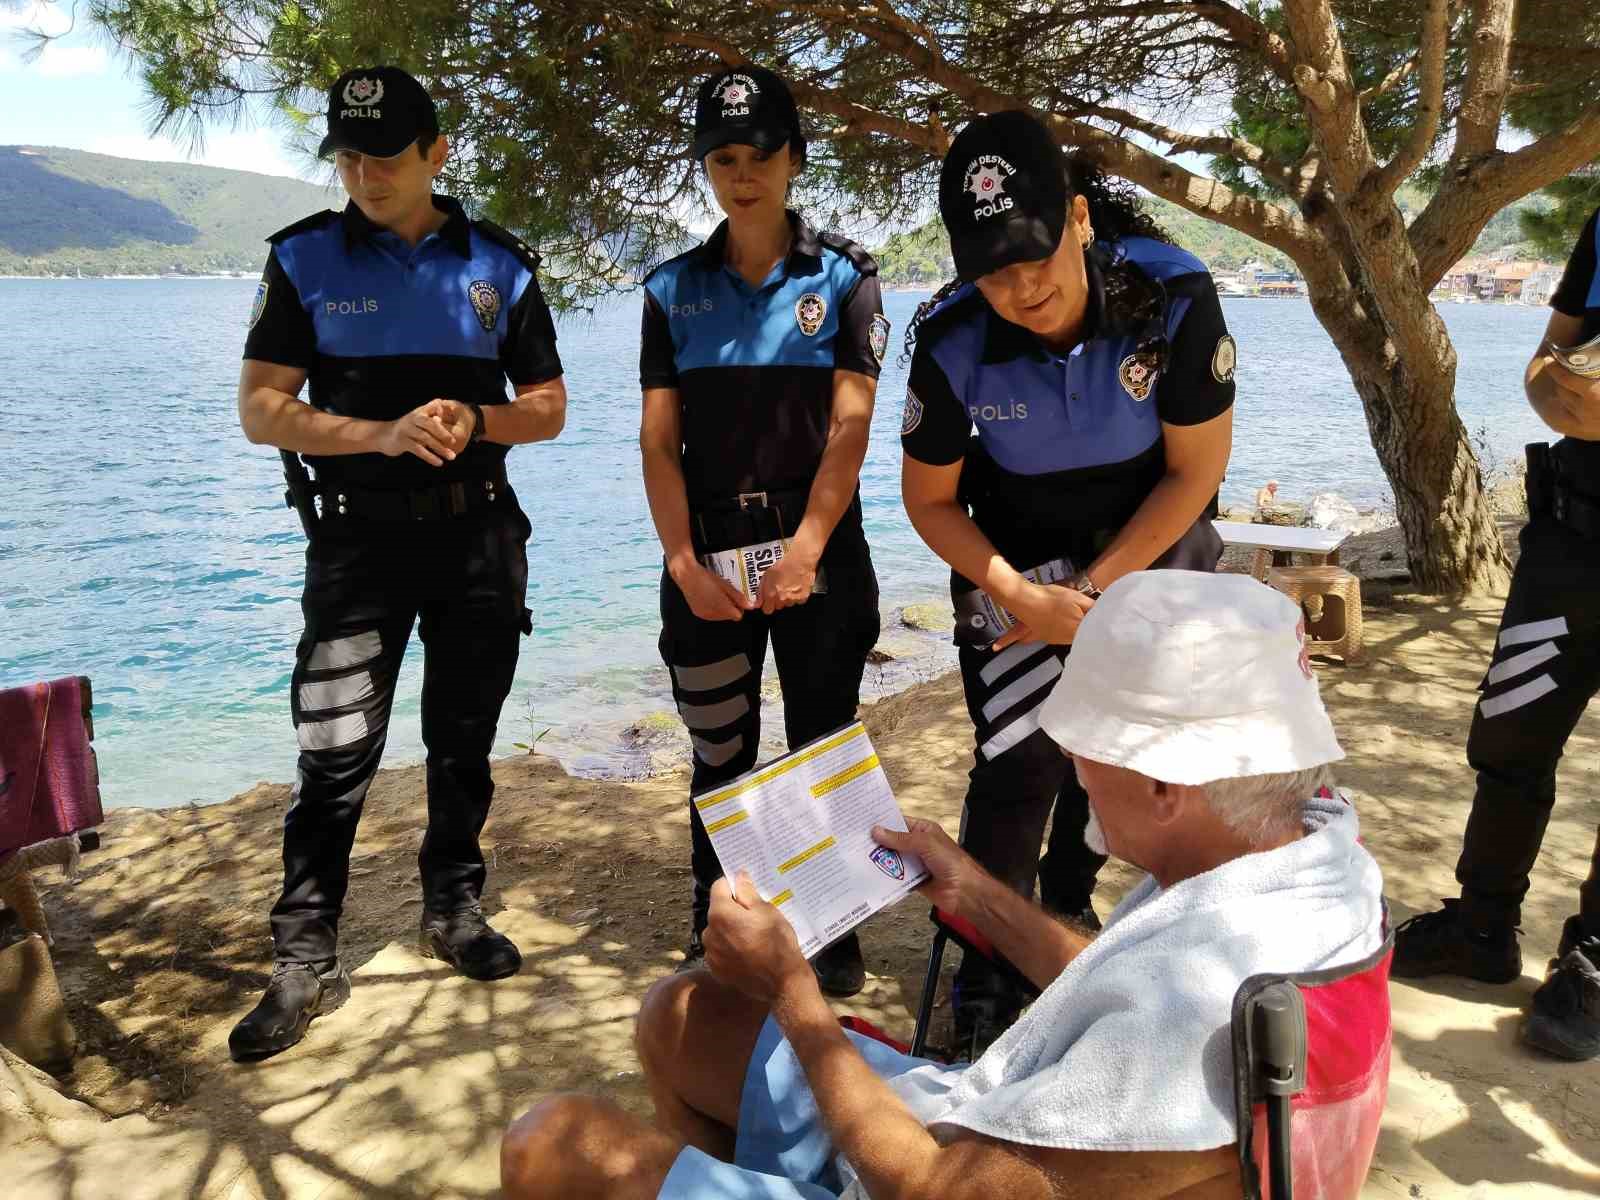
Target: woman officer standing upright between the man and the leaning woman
<point x="759" y="366"/>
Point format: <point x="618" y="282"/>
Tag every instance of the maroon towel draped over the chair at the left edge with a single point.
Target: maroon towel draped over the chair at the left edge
<point x="49" y="785"/>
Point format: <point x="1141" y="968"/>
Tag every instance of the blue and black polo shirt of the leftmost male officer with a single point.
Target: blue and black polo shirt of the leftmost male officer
<point x="383" y="327"/>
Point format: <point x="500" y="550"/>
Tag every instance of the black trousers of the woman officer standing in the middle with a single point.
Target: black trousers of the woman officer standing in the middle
<point x="822" y="652"/>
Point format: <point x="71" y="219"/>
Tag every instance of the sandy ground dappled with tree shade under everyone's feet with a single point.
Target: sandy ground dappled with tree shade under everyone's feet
<point x="406" y="1090"/>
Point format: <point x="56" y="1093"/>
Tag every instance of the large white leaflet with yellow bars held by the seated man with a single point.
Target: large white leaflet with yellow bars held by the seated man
<point x="801" y="828"/>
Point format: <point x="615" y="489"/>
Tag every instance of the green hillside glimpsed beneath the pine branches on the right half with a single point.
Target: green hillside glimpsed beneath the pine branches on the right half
<point x="922" y="257"/>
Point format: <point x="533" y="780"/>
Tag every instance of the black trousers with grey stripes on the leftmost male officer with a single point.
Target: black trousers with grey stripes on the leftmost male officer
<point x="366" y="586"/>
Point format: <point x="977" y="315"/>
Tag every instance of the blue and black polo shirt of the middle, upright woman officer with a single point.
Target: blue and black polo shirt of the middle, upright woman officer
<point x="754" y="367"/>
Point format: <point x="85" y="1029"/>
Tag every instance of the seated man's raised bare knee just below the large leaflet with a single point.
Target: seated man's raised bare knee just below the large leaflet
<point x="695" y="1039"/>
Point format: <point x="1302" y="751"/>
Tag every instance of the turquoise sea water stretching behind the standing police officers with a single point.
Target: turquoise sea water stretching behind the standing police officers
<point x="145" y="543"/>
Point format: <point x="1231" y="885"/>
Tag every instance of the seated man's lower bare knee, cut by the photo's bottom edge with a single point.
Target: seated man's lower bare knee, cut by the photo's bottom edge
<point x="582" y="1148"/>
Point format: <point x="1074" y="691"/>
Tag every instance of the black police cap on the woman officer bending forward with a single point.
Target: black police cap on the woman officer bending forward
<point x="1002" y="194"/>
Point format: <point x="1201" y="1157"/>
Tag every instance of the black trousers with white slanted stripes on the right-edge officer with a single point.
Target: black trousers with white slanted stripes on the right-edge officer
<point x="1545" y="671"/>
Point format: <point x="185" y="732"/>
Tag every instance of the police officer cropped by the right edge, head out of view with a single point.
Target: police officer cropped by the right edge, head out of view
<point x="1545" y="673"/>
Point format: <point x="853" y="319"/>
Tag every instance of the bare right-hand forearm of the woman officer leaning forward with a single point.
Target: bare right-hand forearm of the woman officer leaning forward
<point x="1196" y="462"/>
